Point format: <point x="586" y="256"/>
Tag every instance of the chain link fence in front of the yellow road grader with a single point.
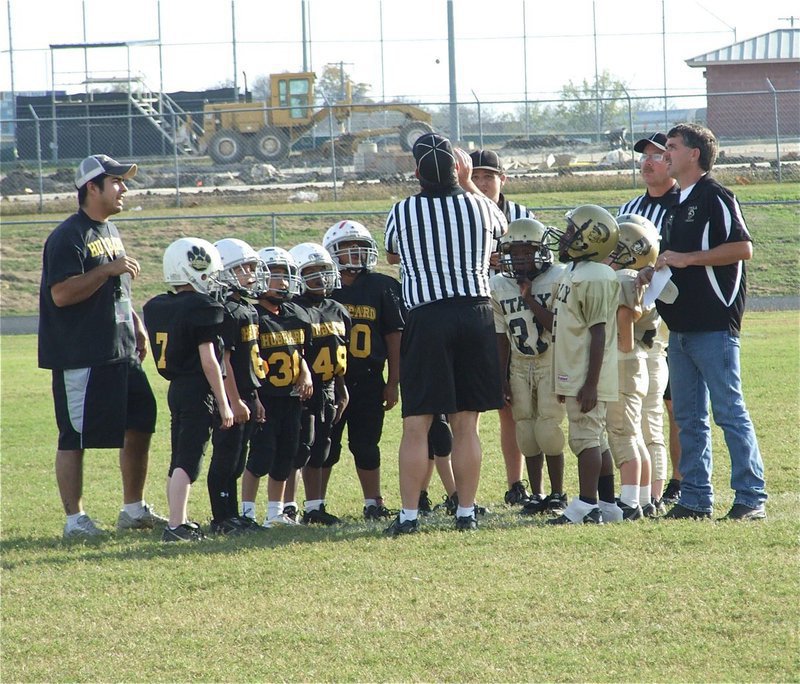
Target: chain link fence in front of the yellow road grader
<point x="306" y="152"/>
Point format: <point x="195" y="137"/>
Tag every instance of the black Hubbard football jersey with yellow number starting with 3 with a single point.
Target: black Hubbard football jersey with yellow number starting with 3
<point x="282" y="339"/>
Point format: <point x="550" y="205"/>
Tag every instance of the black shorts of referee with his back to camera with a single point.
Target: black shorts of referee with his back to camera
<point x="448" y="358"/>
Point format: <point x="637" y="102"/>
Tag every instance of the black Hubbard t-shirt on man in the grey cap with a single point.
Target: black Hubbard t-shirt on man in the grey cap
<point x="98" y="330"/>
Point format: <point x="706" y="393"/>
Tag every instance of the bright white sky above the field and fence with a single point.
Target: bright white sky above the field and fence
<point x="197" y="52"/>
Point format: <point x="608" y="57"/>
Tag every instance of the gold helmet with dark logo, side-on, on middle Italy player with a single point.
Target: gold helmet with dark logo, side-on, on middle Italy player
<point x="591" y="235"/>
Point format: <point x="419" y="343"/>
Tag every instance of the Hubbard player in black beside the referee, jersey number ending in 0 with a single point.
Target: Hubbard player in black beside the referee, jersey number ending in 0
<point x="373" y="302"/>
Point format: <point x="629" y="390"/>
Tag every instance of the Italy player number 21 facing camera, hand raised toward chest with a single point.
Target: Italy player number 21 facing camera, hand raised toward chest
<point x="523" y="322"/>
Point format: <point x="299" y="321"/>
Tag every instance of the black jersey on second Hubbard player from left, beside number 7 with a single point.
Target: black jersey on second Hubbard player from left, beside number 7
<point x="240" y="337"/>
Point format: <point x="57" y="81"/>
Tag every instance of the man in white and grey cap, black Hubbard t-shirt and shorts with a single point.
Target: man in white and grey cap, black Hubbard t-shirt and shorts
<point x="94" y="343"/>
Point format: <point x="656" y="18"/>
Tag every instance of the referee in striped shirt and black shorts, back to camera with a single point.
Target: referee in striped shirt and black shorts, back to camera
<point x="444" y="236"/>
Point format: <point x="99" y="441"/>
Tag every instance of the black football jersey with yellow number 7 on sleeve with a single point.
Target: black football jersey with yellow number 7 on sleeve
<point x="177" y="324"/>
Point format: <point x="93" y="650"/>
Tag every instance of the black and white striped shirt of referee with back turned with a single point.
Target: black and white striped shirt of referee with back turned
<point x="444" y="243"/>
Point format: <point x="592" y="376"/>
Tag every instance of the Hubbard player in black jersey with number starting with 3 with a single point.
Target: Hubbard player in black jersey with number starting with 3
<point x="284" y="332"/>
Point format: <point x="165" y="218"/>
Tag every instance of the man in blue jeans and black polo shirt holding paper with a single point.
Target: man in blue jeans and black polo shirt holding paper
<point x="705" y="243"/>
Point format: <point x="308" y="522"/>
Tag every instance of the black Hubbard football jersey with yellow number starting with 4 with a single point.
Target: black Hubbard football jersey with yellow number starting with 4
<point x="330" y="329"/>
